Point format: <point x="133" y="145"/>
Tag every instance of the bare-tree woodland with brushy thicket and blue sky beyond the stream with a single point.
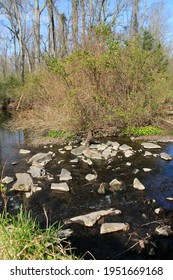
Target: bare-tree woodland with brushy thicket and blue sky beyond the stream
<point x="71" y="66"/>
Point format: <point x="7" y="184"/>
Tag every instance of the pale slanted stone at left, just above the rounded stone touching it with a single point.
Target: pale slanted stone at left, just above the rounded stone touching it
<point x="41" y="159"/>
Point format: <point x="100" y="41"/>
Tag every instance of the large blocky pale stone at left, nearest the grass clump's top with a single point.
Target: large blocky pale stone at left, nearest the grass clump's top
<point x="24" y="182"/>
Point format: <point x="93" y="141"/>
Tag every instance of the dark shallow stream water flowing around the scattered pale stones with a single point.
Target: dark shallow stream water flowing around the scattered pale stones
<point x="137" y="207"/>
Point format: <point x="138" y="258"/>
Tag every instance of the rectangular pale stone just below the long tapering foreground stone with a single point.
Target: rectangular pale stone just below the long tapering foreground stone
<point x="113" y="227"/>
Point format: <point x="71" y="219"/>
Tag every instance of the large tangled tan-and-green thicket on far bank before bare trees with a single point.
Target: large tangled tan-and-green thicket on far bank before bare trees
<point x="110" y="83"/>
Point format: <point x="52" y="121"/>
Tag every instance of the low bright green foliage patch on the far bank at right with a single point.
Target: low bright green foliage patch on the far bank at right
<point x="142" y="131"/>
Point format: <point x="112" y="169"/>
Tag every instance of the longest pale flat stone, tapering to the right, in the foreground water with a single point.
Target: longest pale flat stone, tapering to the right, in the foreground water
<point x="90" y="219"/>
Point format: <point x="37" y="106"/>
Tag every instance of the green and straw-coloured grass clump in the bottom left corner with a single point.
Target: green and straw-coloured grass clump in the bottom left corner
<point x="22" y="239"/>
